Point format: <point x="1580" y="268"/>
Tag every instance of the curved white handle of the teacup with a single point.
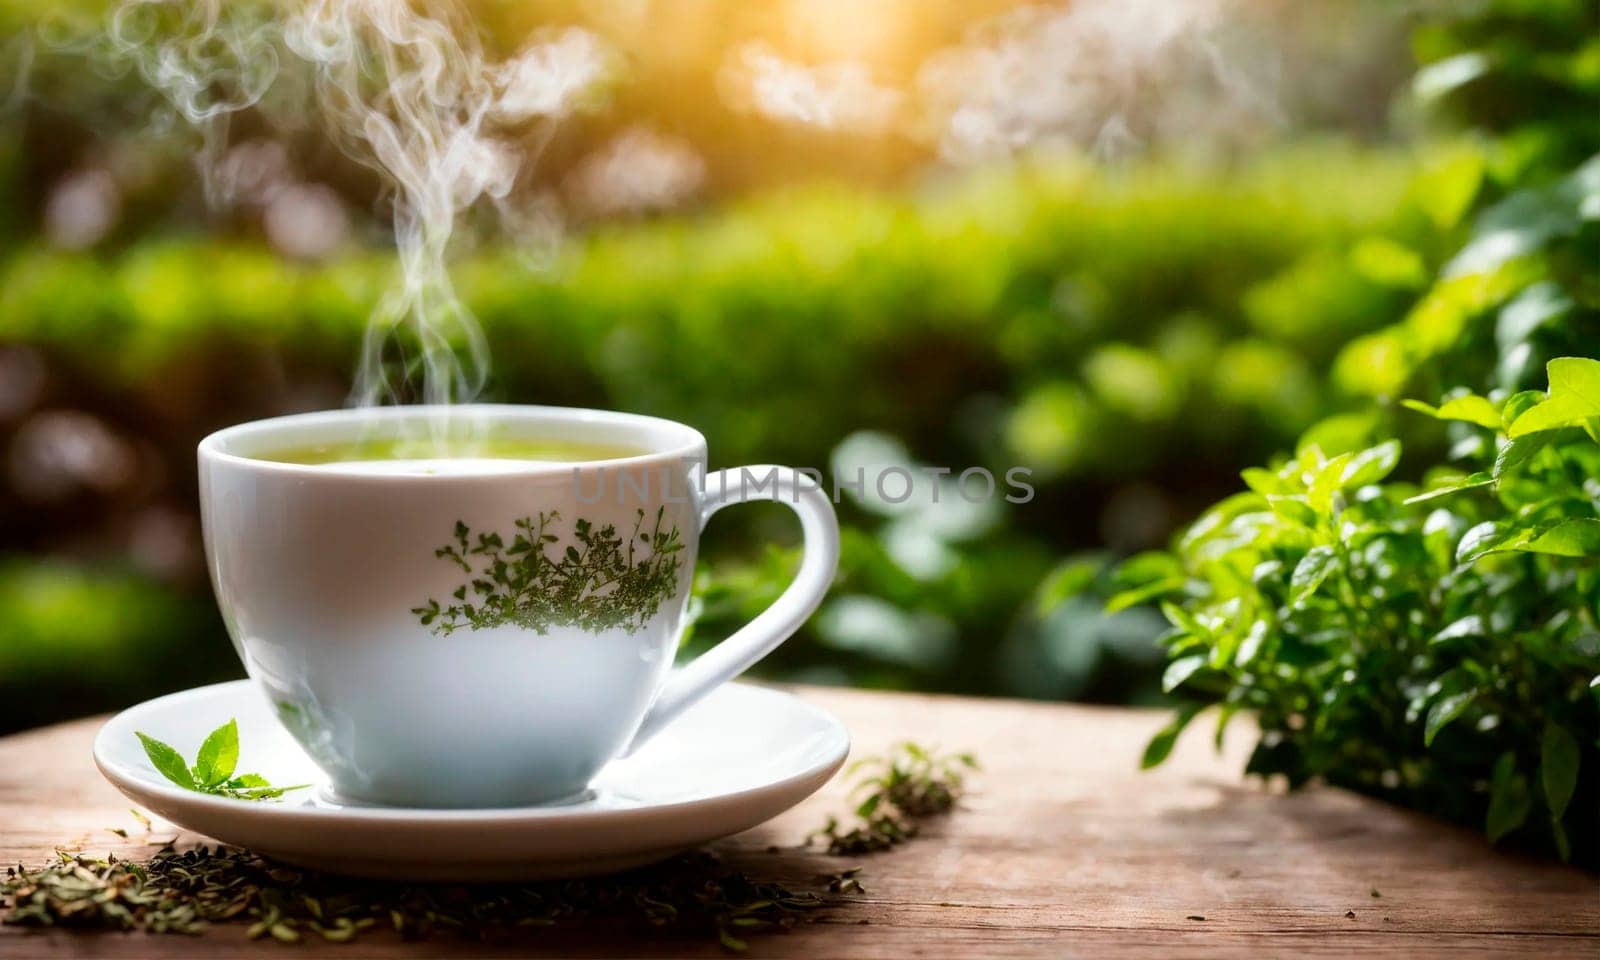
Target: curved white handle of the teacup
<point x="778" y="622"/>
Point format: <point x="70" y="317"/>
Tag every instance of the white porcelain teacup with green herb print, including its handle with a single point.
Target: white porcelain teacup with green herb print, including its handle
<point x="420" y="663"/>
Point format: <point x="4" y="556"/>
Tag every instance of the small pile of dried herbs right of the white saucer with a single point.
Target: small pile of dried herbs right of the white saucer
<point x="895" y="793"/>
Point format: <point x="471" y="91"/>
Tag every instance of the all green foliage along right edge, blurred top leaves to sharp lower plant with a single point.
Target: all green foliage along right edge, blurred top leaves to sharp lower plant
<point x="1438" y="642"/>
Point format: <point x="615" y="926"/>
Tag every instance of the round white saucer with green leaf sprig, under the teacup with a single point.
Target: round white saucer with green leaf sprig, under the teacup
<point x="737" y="759"/>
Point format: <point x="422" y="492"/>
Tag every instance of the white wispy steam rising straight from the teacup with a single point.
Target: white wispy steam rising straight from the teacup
<point x="404" y="89"/>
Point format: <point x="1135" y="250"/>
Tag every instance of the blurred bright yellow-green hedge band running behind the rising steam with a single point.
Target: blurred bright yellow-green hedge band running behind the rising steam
<point x="838" y="308"/>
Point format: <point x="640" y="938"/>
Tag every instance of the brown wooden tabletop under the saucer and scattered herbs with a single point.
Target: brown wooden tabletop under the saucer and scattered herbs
<point x="1065" y="849"/>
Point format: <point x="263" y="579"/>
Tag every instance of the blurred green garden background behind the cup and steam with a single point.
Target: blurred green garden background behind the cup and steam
<point x="1135" y="330"/>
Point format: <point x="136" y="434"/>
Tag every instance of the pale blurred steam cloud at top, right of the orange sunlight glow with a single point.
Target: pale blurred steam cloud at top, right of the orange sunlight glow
<point x="1100" y="74"/>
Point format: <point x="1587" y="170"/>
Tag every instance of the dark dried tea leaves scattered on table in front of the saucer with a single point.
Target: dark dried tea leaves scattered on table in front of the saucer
<point x="186" y="892"/>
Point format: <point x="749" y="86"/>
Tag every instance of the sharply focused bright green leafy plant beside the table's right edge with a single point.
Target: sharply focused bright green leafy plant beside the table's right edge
<point x="1434" y="644"/>
